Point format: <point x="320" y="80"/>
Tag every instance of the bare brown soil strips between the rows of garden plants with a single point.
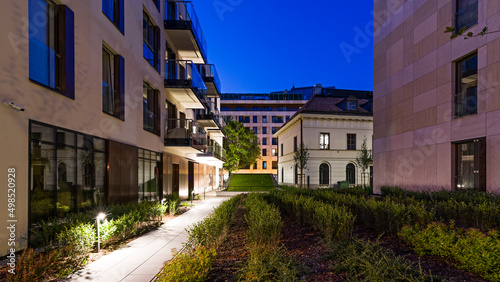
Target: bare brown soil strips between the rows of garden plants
<point x="307" y="248"/>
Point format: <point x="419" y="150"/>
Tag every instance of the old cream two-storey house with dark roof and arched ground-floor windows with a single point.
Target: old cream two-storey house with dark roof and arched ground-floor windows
<point x="333" y="128"/>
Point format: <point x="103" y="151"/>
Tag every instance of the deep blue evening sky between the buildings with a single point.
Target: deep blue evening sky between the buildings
<point x="262" y="46"/>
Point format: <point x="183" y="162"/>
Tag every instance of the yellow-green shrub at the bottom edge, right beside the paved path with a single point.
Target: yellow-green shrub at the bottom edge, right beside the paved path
<point x="192" y="266"/>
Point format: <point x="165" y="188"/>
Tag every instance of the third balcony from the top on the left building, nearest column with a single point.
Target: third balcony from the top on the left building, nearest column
<point x="185" y="136"/>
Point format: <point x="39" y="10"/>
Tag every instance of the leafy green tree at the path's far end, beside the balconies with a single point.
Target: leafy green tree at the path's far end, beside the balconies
<point x="241" y="145"/>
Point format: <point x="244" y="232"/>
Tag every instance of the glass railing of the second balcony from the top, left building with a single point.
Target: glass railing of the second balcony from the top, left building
<point x="182" y="73"/>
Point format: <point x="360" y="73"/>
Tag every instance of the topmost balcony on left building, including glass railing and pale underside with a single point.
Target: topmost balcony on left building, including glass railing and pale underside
<point x="183" y="27"/>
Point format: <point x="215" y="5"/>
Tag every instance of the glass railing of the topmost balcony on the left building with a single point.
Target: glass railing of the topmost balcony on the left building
<point x="178" y="14"/>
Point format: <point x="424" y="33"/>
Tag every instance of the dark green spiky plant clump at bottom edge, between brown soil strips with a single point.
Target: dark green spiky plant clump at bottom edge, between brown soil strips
<point x="369" y="262"/>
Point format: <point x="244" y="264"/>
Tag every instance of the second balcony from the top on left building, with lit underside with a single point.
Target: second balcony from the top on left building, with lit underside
<point x="185" y="83"/>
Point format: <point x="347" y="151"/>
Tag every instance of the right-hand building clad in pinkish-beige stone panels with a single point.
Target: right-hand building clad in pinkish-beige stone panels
<point x="436" y="106"/>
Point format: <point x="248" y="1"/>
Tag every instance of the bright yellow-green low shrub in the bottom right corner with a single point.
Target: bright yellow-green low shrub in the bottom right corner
<point x="469" y="249"/>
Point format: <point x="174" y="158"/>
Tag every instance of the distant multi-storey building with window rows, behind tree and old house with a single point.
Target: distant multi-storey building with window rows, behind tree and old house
<point x="265" y="113"/>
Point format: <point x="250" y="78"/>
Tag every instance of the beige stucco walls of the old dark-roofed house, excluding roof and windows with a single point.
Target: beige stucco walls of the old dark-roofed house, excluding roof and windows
<point x="337" y="158"/>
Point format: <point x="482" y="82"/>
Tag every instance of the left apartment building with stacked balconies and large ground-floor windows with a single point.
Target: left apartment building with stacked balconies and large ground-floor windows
<point x="106" y="101"/>
